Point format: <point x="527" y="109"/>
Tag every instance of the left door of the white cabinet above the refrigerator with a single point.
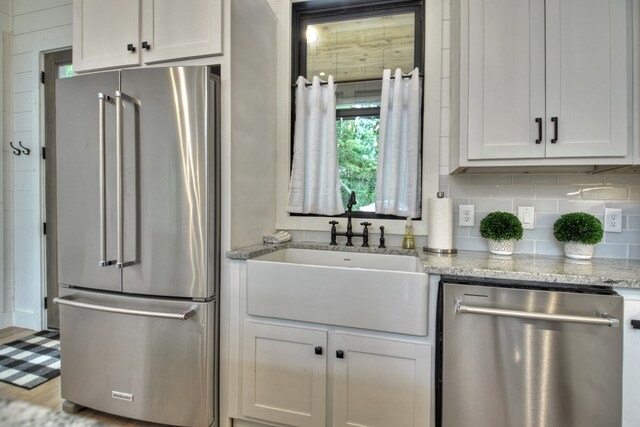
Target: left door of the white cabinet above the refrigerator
<point x="102" y="31"/>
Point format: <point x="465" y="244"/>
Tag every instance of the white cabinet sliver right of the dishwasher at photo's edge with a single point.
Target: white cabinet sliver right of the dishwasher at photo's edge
<point x="631" y="363"/>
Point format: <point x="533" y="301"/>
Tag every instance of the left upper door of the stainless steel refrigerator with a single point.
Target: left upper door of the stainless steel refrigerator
<point x="80" y="228"/>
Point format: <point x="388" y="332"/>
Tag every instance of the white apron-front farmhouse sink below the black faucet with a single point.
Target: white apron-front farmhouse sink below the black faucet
<point x="361" y="290"/>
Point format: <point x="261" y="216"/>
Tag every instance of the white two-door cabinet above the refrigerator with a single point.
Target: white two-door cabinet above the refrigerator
<point x="124" y="33"/>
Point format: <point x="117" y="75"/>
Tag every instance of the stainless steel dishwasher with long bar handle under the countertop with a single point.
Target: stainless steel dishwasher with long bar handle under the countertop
<point x="528" y="355"/>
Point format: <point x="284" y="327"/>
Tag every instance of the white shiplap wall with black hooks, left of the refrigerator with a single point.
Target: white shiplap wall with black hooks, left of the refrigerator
<point x="38" y="25"/>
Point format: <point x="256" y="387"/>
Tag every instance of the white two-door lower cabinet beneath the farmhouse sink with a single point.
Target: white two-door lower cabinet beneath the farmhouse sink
<point x="373" y="381"/>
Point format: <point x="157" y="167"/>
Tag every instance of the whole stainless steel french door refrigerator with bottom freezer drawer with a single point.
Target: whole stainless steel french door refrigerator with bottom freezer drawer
<point x="138" y="242"/>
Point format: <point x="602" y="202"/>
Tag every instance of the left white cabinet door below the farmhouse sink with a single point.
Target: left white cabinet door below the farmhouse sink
<point x="284" y="374"/>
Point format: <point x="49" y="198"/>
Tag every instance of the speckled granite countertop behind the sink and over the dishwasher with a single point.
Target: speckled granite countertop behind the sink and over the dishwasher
<point x="540" y="268"/>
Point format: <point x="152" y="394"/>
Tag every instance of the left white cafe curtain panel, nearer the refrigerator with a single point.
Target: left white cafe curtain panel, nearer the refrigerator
<point x="315" y="184"/>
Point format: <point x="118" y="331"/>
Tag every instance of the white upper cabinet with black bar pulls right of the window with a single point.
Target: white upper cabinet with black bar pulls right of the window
<point x="540" y="83"/>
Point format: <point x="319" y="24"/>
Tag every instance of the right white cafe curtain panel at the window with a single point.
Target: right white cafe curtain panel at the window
<point x="398" y="184"/>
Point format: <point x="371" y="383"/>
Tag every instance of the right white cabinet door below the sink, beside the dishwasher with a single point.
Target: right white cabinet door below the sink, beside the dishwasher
<point x="380" y="382"/>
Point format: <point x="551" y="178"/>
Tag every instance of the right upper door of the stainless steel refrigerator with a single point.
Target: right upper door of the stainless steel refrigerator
<point x="173" y="183"/>
